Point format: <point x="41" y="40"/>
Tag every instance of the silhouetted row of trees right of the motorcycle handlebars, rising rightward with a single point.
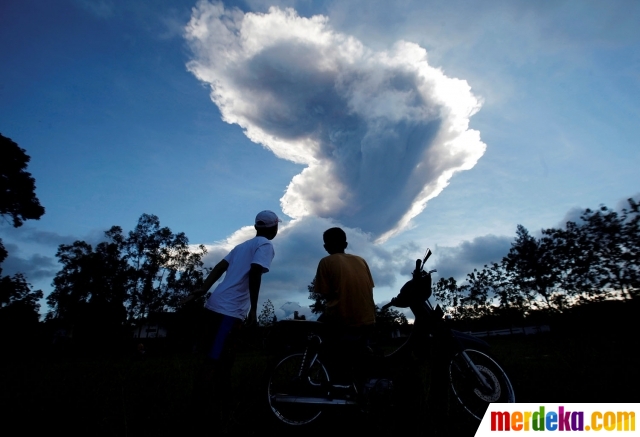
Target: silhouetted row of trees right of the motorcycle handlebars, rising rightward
<point x="593" y="259"/>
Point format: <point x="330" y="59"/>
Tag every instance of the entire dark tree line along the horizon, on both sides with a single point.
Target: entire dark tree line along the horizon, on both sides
<point x="129" y="276"/>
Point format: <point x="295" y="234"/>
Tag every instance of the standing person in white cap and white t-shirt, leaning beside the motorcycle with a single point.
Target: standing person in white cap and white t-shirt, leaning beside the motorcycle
<point x="235" y="299"/>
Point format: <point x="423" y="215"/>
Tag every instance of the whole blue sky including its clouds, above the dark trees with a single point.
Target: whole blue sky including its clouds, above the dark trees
<point x="112" y="101"/>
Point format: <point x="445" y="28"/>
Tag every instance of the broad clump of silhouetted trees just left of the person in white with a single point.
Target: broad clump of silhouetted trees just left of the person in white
<point x="125" y="277"/>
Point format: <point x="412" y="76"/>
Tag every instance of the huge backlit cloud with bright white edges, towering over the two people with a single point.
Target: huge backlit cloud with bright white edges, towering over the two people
<point x="379" y="132"/>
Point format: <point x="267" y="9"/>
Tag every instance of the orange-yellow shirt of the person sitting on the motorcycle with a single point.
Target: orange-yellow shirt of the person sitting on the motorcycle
<point x="345" y="281"/>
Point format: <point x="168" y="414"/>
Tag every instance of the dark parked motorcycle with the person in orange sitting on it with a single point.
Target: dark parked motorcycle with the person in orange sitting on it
<point x="301" y="387"/>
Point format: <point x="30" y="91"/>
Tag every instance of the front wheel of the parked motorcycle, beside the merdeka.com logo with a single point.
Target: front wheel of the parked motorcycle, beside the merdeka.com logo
<point x="469" y="391"/>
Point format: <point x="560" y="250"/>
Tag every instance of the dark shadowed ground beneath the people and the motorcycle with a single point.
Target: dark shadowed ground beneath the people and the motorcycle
<point x="589" y="360"/>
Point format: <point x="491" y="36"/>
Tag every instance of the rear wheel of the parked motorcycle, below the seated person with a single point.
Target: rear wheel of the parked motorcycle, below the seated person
<point x="285" y="380"/>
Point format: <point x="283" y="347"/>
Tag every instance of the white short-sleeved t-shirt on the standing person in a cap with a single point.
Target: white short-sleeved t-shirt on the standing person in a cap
<point x="231" y="296"/>
